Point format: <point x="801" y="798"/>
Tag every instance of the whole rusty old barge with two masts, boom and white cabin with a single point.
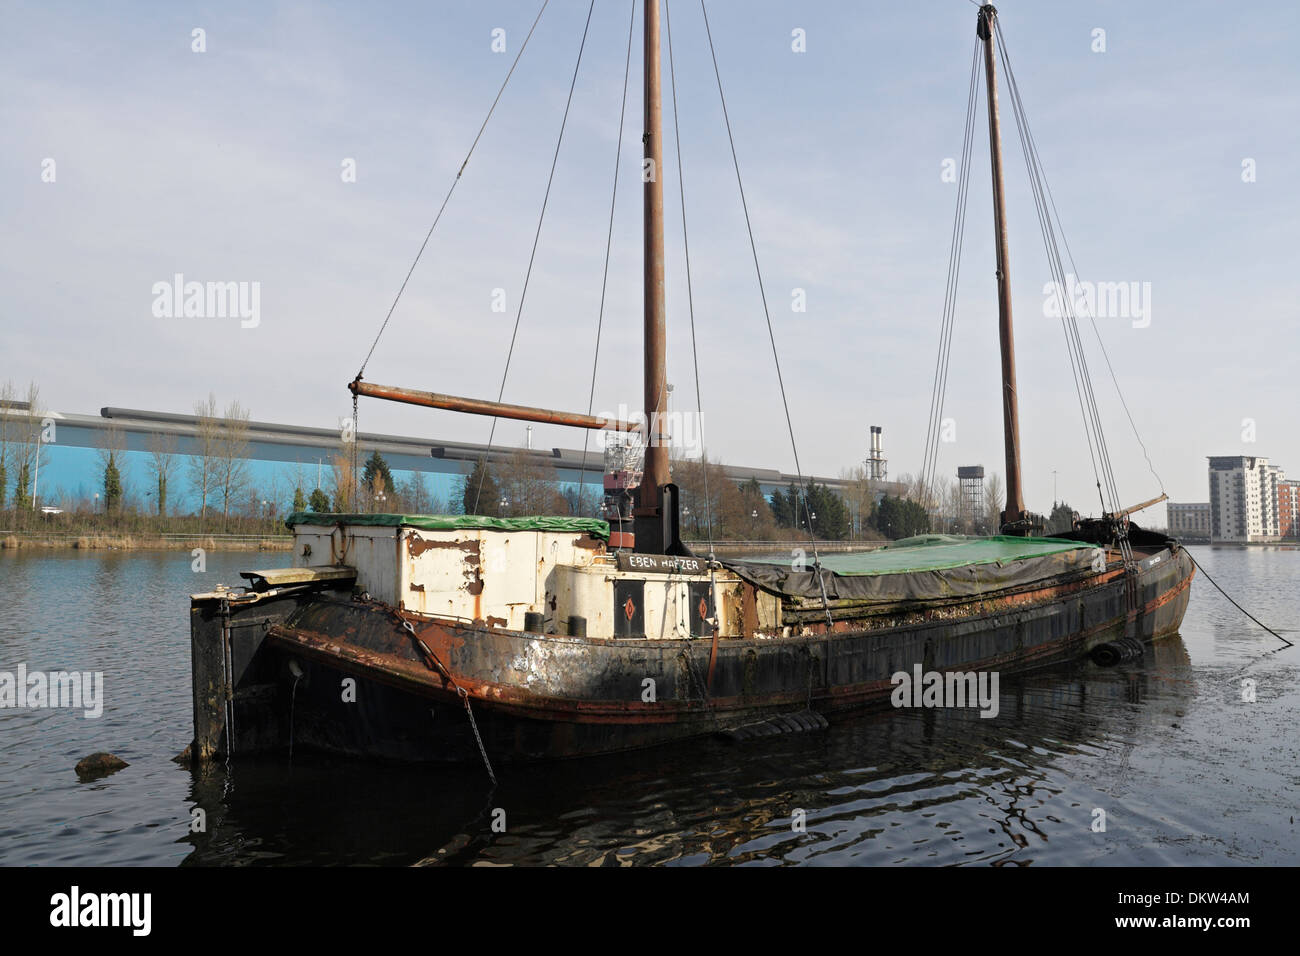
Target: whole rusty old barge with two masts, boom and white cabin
<point x="437" y="638"/>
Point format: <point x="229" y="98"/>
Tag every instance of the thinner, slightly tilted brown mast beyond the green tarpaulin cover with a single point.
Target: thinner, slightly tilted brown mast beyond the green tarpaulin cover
<point x="1015" y="511"/>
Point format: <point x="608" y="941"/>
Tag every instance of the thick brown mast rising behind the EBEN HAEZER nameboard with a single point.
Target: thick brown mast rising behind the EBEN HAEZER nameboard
<point x="649" y="521"/>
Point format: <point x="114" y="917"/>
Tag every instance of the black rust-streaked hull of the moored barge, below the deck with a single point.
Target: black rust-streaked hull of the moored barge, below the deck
<point x="547" y="697"/>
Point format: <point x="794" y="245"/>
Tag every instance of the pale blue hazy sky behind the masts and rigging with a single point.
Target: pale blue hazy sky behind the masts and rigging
<point x="226" y="166"/>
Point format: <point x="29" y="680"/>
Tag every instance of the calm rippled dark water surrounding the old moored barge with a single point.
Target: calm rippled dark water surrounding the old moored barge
<point x="1185" y="771"/>
